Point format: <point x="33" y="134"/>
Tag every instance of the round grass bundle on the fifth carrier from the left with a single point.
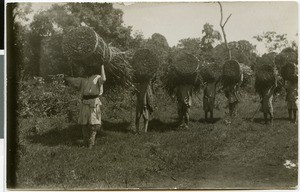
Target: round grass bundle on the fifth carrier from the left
<point x="231" y="73"/>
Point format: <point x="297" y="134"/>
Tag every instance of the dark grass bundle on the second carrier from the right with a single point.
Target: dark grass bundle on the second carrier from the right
<point x="264" y="78"/>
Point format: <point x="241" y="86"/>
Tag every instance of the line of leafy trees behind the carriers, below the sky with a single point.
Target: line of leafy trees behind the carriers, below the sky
<point x="38" y="48"/>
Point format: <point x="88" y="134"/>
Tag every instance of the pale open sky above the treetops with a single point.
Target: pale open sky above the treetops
<point x="185" y="20"/>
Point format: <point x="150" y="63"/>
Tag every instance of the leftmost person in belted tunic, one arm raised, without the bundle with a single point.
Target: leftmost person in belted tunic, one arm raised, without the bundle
<point x="91" y="87"/>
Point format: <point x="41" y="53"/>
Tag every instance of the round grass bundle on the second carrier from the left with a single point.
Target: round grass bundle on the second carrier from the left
<point x="145" y="64"/>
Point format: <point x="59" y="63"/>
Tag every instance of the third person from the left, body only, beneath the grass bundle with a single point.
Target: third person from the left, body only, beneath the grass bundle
<point x="184" y="102"/>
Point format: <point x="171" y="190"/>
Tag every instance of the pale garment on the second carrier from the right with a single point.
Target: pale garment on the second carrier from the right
<point x="267" y="100"/>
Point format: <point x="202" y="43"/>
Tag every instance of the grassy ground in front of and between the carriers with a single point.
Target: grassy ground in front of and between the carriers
<point x="242" y="154"/>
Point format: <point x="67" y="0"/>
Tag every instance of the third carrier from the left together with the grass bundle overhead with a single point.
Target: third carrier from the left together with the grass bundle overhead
<point x="181" y="80"/>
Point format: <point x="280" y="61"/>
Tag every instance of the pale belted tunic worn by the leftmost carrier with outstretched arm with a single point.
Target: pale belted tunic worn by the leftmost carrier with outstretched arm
<point x="90" y="111"/>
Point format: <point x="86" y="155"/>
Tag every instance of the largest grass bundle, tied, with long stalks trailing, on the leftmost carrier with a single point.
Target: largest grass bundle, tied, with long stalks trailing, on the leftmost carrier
<point x="84" y="48"/>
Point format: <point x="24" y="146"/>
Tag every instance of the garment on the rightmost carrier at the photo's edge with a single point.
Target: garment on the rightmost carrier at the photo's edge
<point x="291" y="95"/>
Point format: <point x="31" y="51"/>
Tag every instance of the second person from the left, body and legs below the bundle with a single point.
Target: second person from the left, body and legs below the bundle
<point x="143" y="104"/>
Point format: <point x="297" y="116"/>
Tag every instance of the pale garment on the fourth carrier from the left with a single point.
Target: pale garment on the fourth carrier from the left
<point x="209" y="96"/>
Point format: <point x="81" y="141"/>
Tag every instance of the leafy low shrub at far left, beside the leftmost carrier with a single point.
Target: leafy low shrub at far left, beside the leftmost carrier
<point x="38" y="97"/>
